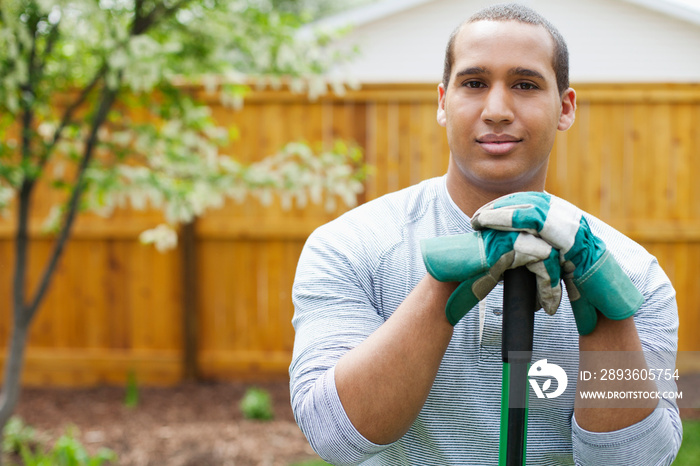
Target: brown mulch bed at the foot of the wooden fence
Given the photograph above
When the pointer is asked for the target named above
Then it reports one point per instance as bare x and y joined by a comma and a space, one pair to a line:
190, 424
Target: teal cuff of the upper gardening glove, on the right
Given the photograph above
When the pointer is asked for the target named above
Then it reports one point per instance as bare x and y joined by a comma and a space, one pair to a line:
608, 288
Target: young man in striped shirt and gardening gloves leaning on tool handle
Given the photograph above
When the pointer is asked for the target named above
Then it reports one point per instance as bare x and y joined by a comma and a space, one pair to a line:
381, 376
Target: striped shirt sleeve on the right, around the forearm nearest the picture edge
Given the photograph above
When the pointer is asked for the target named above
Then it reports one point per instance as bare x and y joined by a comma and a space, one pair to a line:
656, 439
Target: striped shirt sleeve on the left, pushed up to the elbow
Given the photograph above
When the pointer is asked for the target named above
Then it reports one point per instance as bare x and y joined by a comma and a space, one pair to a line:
333, 314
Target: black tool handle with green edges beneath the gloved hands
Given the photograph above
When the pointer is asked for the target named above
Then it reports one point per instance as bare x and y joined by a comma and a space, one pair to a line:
519, 301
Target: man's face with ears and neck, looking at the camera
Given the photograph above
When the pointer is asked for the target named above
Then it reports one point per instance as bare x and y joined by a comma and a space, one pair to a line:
502, 108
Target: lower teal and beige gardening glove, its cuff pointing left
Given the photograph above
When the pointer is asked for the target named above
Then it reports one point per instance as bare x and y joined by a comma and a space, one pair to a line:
477, 260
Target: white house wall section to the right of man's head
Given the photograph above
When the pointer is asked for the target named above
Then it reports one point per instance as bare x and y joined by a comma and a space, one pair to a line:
613, 41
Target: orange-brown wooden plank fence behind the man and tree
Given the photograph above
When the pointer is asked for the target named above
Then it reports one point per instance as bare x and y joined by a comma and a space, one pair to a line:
116, 307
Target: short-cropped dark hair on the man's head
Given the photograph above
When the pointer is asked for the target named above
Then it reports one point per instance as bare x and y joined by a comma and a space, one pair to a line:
523, 14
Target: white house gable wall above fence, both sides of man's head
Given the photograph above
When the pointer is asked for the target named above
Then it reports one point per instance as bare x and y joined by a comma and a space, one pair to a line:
609, 41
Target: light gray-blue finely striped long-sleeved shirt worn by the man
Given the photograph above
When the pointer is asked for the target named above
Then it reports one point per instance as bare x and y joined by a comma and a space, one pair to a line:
356, 270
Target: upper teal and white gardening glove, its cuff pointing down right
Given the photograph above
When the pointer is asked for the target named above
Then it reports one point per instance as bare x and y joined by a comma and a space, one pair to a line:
593, 278
